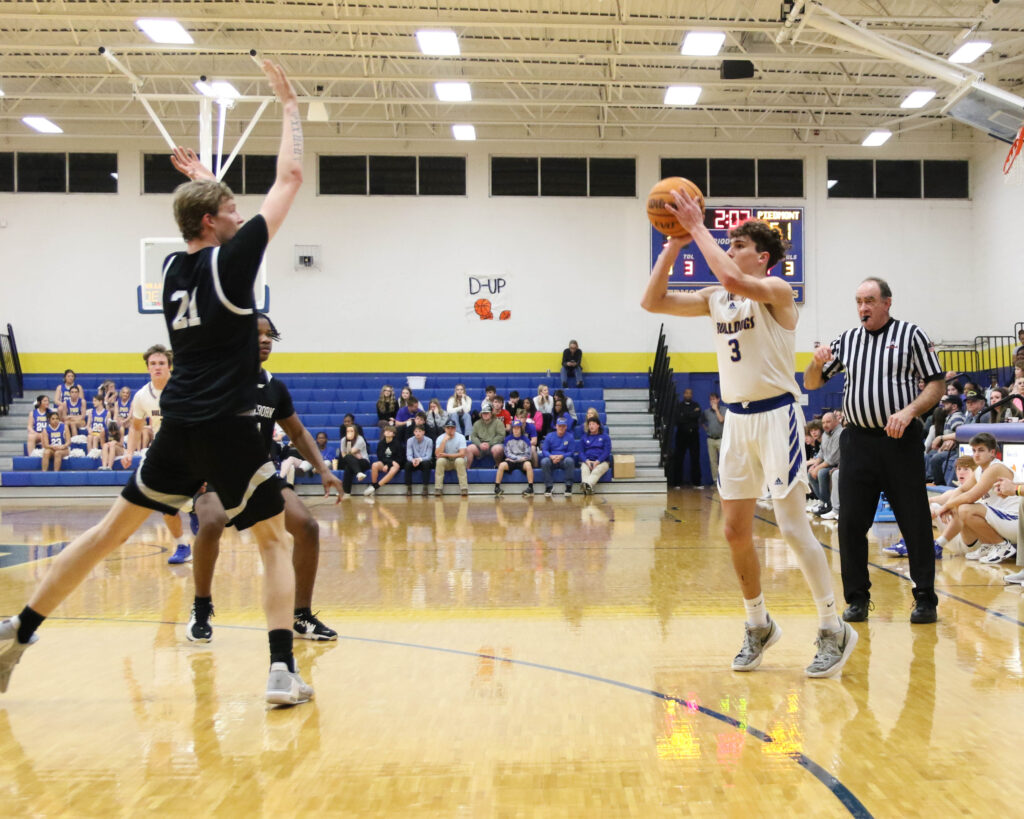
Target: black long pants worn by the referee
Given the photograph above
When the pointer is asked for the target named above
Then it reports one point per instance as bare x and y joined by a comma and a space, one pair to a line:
871, 463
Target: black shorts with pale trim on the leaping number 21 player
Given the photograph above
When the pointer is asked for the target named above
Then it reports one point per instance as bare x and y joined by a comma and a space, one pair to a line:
228, 453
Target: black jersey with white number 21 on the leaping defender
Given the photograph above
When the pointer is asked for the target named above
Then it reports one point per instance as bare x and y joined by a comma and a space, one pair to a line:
211, 320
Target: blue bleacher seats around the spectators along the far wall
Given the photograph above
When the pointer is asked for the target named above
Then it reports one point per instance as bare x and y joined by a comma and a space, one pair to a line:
322, 402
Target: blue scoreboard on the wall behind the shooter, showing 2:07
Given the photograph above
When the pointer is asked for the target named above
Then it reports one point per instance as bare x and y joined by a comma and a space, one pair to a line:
692, 271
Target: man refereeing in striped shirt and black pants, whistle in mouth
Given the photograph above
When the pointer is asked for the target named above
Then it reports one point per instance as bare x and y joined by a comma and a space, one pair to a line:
882, 450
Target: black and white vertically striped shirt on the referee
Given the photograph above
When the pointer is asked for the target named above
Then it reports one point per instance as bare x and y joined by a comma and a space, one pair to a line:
883, 368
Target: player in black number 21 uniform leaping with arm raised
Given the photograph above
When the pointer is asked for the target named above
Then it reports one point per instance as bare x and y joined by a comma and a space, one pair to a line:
208, 408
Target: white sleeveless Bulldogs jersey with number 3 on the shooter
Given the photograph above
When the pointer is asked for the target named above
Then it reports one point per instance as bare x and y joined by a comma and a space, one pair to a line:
757, 357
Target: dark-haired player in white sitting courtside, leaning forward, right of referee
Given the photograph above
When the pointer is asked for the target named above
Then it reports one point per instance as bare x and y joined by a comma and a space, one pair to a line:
976, 512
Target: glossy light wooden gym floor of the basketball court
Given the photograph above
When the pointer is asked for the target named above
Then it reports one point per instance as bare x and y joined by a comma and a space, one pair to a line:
552, 658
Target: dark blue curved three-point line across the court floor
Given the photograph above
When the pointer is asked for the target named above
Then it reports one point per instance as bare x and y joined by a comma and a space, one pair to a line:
841, 792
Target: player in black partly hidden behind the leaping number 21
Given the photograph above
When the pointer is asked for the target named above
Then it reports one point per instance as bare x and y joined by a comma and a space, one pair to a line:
274, 406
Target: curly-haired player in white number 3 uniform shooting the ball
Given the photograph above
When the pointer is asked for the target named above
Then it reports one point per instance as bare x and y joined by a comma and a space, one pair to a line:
754, 319
